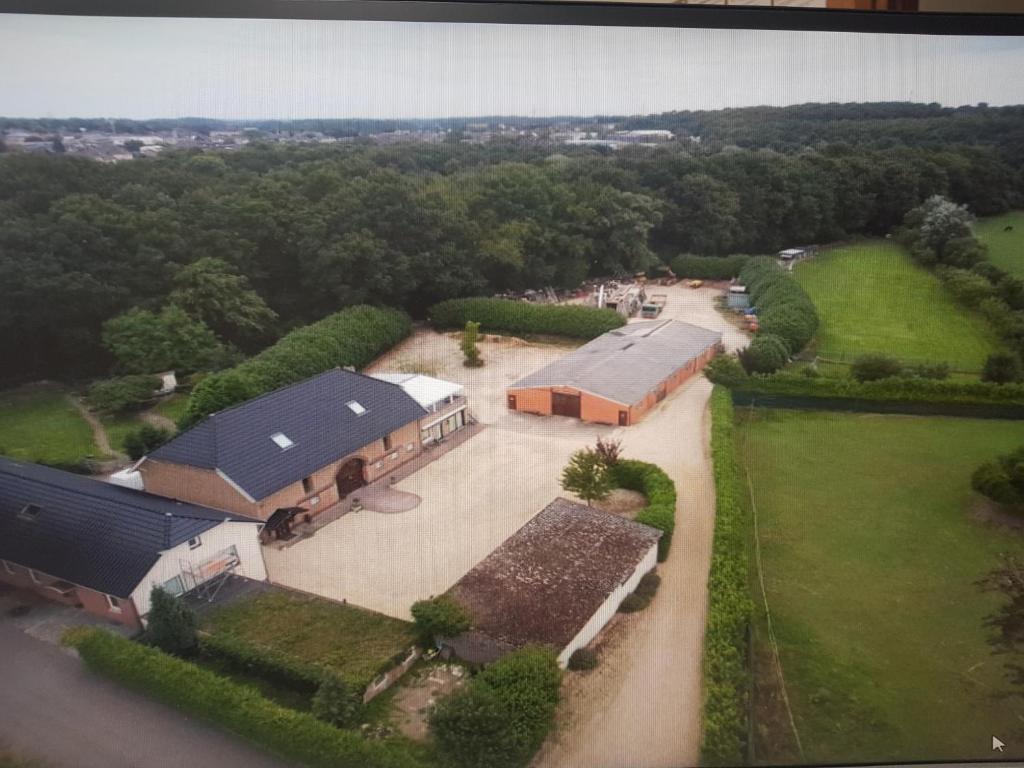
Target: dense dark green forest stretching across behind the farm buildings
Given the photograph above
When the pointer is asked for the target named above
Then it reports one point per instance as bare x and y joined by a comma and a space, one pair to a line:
302, 232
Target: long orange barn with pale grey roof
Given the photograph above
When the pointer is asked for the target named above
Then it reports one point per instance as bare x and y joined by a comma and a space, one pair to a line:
618, 377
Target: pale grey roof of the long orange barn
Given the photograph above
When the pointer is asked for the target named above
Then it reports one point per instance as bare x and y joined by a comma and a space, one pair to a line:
627, 364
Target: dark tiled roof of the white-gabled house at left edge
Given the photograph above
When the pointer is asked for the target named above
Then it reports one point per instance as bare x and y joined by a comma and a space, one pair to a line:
92, 533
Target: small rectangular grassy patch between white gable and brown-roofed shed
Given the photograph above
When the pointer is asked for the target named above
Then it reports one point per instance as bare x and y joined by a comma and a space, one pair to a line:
353, 642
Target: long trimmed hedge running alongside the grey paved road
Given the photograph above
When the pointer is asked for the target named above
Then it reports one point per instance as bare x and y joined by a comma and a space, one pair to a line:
296, 737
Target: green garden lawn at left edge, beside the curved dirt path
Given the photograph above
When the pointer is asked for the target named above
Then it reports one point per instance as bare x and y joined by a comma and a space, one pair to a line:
38, 424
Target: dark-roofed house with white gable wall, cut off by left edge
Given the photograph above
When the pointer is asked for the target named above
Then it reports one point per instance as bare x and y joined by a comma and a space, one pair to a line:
103, 547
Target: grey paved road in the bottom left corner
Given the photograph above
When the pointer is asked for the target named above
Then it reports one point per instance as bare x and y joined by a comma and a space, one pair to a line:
55, 710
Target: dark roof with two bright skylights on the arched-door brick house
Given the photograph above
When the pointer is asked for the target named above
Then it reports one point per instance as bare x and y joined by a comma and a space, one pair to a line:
313, 414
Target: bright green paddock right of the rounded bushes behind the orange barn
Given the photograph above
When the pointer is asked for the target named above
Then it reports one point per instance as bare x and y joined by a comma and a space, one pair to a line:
873, 298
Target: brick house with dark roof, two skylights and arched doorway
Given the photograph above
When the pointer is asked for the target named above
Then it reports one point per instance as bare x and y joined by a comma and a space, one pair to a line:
304, 448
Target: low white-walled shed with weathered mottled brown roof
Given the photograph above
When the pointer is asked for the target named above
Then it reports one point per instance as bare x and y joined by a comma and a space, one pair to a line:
557, 582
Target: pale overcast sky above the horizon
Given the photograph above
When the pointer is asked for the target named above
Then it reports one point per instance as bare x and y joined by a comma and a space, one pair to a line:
143, 68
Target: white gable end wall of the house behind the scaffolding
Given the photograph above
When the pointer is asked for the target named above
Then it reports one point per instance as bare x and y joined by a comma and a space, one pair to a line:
214, 543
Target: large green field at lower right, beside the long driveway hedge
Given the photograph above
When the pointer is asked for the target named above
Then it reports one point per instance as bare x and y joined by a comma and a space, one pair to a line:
871, 554
